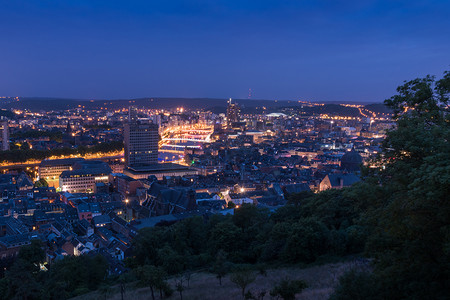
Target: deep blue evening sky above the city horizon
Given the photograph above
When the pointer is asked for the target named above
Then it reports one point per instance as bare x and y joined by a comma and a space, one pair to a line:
327, 50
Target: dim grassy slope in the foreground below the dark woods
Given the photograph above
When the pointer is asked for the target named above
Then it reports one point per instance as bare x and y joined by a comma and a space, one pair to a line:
321, 281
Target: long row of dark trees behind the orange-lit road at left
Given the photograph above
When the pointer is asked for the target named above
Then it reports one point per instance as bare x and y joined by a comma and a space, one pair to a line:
25, 155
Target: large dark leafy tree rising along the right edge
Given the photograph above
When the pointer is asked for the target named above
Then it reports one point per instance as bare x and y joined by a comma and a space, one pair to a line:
411, 230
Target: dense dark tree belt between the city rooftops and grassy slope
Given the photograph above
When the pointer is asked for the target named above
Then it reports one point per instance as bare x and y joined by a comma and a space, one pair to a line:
308, 228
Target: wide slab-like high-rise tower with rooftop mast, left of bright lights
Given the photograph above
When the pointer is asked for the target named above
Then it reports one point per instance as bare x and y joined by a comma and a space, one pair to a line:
141, 141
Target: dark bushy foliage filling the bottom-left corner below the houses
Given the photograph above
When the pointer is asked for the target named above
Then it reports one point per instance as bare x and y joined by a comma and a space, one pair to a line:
66, 278
